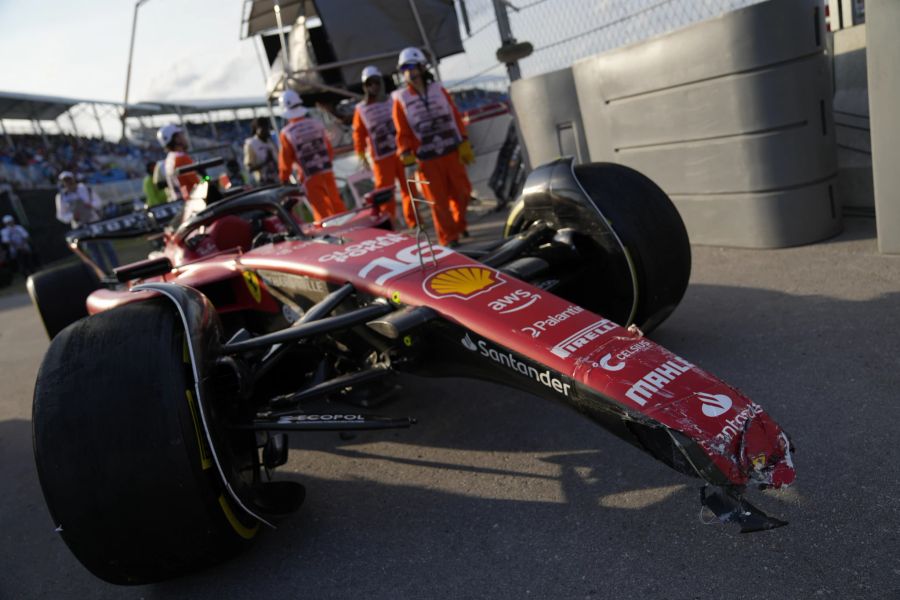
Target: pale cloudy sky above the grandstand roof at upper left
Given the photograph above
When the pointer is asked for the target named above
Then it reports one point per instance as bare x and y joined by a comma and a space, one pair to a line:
183, 49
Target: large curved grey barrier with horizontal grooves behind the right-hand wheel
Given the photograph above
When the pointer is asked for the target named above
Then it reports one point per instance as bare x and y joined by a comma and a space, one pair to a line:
732, 117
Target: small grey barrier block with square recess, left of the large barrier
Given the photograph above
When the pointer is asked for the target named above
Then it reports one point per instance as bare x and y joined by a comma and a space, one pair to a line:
548, 117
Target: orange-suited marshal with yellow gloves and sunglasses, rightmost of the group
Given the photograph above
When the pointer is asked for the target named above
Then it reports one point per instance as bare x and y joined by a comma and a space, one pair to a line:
431, 132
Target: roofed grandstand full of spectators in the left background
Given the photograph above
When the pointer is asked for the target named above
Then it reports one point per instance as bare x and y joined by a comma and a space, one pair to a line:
40, 138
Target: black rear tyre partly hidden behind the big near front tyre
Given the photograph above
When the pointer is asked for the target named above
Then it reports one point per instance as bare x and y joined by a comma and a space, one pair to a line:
59, 294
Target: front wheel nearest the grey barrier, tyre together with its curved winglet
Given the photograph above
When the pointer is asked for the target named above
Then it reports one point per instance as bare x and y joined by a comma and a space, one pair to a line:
640, 265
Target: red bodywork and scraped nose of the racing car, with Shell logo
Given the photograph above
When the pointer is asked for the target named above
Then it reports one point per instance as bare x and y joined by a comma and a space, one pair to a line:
646, 382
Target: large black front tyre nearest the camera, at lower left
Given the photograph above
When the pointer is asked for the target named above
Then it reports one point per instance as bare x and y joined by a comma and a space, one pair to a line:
122, 459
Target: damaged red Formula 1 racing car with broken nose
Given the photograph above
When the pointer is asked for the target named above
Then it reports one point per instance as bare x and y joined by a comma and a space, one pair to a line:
154, 416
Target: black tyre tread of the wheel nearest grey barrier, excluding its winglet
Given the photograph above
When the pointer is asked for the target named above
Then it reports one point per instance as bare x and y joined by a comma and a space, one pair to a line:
648, 225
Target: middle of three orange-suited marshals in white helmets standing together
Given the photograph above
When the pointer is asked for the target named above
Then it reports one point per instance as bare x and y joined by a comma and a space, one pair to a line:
373, 129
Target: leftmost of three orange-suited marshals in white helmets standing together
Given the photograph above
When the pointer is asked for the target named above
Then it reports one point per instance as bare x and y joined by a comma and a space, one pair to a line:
304, 144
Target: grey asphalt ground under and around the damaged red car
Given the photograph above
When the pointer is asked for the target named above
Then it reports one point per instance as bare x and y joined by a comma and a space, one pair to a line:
498, 494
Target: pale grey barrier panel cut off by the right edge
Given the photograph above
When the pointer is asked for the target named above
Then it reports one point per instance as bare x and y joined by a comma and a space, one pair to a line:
883, 23
